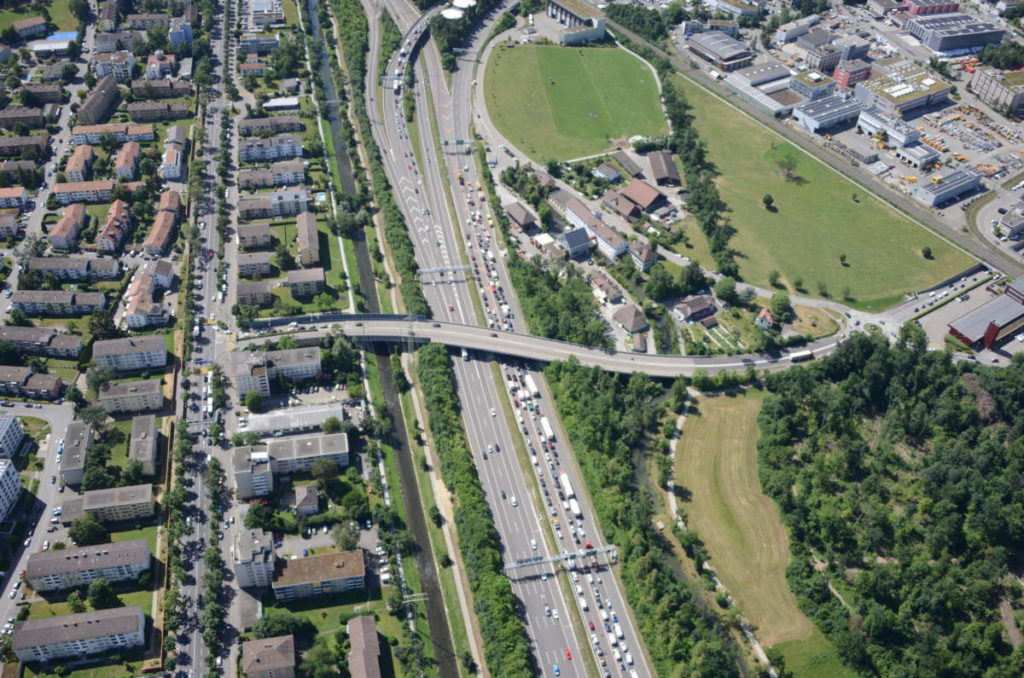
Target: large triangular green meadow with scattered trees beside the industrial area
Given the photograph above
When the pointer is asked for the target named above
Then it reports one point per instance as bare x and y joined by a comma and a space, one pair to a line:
817, 218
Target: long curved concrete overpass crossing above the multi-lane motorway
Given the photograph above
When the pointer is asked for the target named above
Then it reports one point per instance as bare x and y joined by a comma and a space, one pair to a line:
405, 330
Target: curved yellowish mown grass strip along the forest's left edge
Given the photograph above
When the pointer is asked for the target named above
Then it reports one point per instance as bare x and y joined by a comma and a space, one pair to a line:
717, 462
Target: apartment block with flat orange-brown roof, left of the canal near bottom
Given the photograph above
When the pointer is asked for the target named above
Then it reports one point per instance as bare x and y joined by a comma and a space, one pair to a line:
321, 576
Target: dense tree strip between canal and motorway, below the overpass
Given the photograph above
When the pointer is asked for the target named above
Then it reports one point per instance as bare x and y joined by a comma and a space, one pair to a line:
505, 648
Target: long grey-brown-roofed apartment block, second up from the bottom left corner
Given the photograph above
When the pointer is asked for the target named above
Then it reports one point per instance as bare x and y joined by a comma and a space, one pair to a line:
75, 568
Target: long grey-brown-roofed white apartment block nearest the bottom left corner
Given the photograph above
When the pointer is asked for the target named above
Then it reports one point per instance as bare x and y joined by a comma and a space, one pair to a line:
50, 639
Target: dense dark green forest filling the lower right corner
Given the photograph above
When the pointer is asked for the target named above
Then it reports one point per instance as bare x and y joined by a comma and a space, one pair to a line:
900, 477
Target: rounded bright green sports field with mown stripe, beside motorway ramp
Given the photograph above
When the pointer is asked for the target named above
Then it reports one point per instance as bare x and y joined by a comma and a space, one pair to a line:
566, 103
